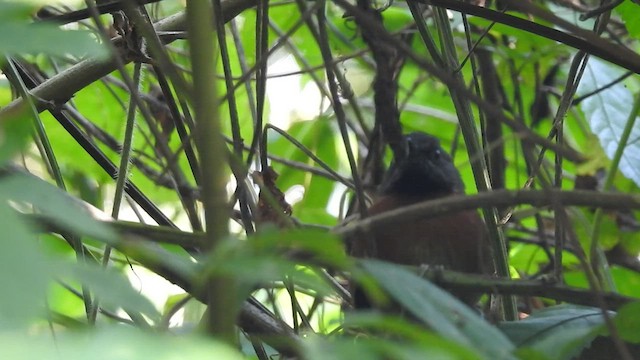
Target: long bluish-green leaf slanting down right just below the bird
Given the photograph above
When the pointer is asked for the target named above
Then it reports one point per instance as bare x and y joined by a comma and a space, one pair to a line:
442, 312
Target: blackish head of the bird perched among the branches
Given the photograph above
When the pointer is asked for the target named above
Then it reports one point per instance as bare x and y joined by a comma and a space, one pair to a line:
425, 170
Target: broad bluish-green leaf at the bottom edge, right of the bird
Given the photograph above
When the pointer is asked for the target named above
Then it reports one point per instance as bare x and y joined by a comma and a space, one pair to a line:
558, 332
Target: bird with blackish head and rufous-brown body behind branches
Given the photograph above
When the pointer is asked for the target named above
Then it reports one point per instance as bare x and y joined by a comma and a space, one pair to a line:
457, 241
